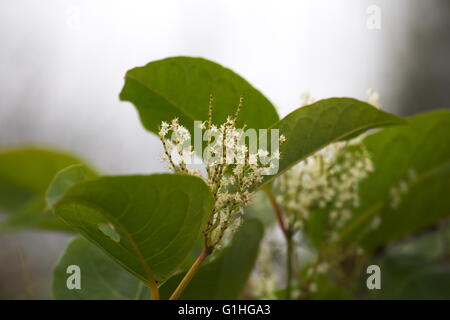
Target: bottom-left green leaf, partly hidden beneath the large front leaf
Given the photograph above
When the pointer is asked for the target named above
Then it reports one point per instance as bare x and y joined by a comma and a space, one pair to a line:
101, 277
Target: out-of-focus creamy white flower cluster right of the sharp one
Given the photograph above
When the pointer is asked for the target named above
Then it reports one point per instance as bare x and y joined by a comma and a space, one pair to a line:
328, 179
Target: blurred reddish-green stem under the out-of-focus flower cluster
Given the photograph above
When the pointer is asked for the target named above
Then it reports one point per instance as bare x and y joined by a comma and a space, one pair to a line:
289, 239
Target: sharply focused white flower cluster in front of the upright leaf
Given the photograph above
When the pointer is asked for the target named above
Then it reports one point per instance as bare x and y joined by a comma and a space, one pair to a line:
232, 169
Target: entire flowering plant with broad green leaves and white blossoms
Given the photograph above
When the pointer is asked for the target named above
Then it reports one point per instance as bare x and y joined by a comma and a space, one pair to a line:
254, 206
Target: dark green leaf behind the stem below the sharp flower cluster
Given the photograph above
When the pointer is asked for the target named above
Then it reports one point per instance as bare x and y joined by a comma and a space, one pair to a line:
225, 277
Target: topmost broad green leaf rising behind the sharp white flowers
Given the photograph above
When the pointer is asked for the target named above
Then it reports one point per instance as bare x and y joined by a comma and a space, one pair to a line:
179, 87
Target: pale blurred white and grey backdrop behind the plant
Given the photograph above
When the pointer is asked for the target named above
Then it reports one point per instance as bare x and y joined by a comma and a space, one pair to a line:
62, 65
